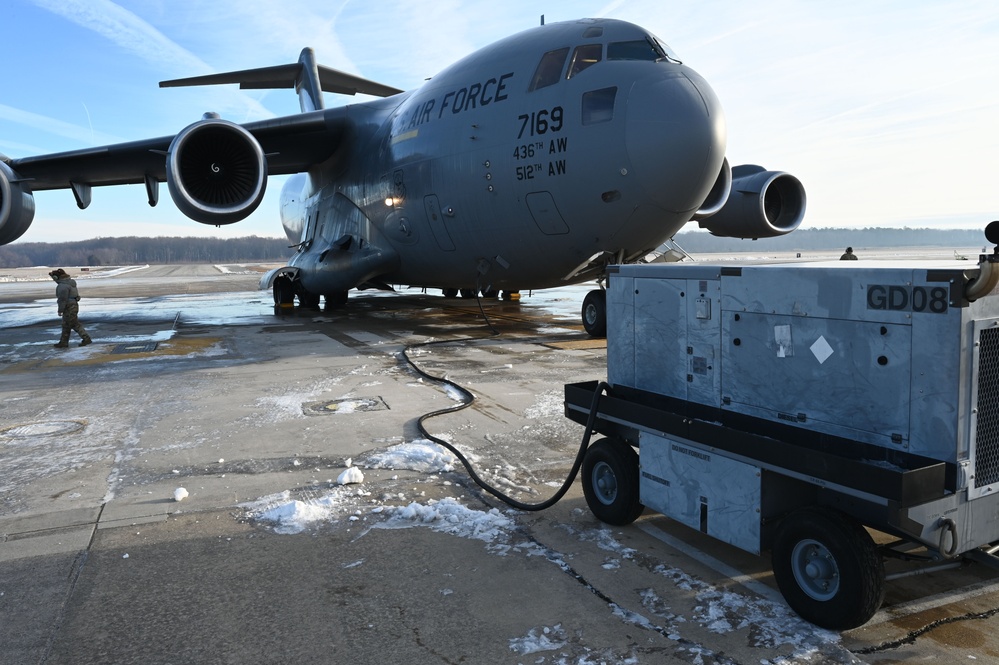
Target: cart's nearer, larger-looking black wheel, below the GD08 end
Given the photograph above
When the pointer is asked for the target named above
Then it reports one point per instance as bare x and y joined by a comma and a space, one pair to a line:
828, 568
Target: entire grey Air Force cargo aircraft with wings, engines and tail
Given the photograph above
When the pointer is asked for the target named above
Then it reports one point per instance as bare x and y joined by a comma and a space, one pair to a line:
534, 162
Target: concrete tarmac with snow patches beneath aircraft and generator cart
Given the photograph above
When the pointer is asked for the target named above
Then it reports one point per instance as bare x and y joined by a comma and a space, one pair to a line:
193, 382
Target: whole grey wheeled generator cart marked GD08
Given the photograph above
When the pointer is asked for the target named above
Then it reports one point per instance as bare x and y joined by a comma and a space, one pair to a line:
786, 407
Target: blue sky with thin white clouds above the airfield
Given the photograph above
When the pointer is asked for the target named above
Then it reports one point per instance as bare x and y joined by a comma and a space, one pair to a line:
888, 111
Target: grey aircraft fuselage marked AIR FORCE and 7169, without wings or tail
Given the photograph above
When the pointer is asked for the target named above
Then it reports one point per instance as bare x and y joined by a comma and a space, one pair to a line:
513, 168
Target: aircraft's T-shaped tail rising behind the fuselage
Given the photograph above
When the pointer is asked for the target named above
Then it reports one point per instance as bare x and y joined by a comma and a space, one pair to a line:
309, 80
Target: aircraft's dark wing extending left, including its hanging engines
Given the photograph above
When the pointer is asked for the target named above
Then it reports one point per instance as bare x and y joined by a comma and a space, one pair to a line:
216, 170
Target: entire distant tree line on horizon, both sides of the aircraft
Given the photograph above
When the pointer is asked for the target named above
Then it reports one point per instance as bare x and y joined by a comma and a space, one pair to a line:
133, 250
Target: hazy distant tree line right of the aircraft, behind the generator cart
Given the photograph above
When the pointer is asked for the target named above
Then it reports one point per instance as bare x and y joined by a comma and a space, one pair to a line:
834, 239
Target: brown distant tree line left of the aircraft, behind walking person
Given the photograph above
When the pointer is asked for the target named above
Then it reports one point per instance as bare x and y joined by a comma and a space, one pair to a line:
133, 250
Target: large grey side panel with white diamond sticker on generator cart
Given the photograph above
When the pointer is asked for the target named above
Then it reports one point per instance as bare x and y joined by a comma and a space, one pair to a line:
850, 378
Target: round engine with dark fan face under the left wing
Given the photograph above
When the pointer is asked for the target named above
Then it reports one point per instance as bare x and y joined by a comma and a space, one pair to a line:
216, 172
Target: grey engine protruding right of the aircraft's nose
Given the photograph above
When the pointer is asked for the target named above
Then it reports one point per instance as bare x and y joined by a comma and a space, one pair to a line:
762, 204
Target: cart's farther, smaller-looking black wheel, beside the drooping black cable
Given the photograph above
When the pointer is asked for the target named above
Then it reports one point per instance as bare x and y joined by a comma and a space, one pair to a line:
610, 482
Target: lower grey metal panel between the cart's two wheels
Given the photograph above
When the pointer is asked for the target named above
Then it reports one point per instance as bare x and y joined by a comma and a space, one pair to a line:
698, 487
